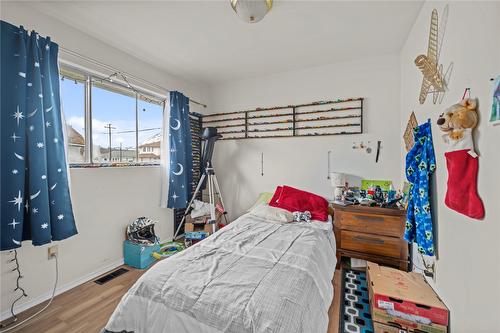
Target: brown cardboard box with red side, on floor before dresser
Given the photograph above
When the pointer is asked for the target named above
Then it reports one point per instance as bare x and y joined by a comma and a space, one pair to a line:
407, 293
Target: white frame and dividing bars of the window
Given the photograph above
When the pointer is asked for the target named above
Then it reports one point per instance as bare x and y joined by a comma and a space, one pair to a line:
116, 85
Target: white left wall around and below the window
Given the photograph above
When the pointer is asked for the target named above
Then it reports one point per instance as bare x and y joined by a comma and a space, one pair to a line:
104, 200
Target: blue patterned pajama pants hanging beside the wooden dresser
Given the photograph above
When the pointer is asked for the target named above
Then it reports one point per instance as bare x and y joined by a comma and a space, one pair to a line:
420, 165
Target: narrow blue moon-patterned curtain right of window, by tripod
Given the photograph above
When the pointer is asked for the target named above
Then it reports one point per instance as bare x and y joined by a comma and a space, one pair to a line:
181, 153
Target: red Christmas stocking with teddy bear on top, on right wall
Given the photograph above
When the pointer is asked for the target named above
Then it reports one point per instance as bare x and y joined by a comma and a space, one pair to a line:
458, 123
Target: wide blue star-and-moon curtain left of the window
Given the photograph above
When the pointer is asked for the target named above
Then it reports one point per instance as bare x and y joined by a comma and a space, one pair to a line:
35, 198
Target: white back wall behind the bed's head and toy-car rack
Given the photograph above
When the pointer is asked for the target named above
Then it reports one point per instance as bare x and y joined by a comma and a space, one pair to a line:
302, 162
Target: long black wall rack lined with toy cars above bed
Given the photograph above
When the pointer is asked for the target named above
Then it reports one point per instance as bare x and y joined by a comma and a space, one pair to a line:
336, 117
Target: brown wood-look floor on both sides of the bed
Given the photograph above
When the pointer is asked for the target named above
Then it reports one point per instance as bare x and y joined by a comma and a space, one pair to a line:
86, 308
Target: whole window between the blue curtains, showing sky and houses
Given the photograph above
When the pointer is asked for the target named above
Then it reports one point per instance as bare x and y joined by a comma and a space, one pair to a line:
126, 126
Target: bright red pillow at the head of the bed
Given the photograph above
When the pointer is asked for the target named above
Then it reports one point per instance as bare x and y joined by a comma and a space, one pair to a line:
293, 199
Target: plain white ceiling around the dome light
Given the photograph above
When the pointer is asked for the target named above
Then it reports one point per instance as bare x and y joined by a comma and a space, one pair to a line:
205, 41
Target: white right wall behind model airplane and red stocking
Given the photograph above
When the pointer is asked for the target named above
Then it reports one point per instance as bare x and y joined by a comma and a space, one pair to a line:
468, 269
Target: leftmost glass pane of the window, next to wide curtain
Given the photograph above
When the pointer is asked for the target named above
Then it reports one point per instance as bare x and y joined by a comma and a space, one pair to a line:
73, 106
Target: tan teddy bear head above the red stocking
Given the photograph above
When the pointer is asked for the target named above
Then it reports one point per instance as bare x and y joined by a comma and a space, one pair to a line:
457, 118
